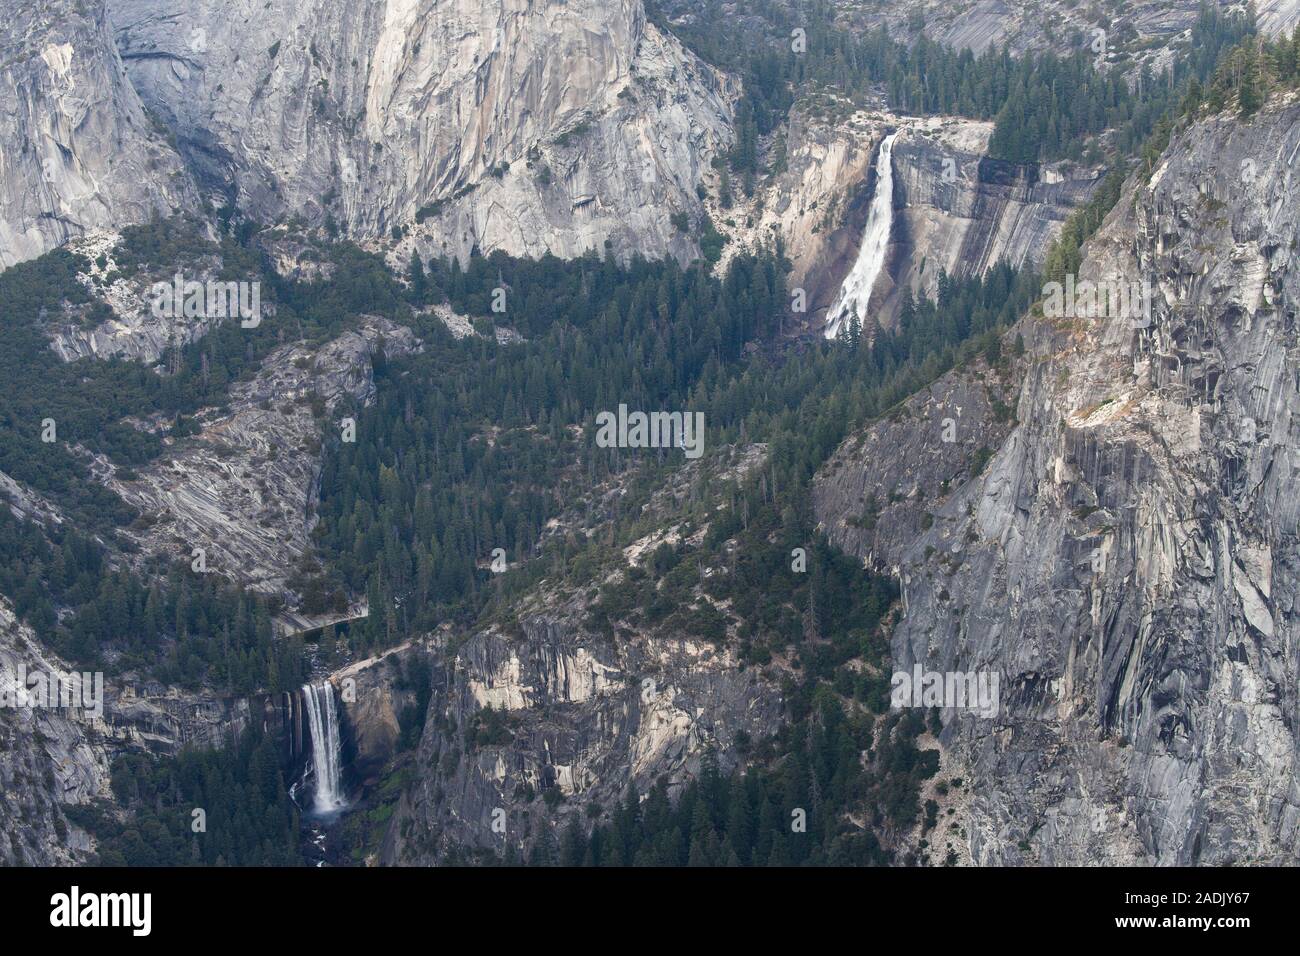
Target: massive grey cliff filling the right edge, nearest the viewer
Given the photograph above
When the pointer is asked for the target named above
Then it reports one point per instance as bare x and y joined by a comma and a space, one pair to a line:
1126, 563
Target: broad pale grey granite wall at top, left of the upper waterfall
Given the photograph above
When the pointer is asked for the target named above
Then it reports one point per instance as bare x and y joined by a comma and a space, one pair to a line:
521, 126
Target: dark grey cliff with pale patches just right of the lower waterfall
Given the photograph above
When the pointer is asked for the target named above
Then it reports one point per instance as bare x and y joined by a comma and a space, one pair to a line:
583, 716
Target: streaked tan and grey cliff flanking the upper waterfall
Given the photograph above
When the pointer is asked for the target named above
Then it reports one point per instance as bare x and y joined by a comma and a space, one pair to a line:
955, 209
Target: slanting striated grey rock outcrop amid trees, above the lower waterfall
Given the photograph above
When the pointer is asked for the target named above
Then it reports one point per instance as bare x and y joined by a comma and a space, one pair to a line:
244, 490
